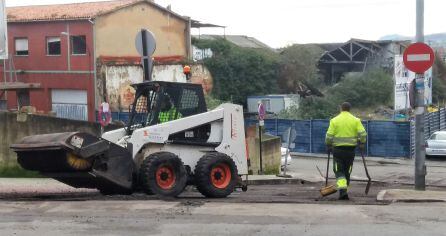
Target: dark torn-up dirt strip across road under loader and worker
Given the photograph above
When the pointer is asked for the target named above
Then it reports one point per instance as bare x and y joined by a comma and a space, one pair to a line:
302, 192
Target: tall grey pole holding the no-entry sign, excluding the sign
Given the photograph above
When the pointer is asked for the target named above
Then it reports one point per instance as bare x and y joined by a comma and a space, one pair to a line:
420, 167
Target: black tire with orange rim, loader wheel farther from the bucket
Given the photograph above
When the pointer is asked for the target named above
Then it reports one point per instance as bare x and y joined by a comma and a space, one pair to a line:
216, 175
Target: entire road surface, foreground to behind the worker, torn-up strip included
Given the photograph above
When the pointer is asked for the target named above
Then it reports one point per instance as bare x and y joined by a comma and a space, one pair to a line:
47, 207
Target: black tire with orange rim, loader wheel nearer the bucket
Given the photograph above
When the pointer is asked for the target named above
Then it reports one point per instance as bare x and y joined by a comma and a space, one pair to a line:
164, 174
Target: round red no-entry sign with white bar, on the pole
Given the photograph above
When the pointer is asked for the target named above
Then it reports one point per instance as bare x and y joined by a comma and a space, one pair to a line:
418, 57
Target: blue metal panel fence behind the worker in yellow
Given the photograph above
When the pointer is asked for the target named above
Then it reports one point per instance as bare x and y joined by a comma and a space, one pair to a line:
387, 139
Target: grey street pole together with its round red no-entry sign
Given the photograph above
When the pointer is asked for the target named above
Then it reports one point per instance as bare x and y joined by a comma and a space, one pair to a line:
419, 57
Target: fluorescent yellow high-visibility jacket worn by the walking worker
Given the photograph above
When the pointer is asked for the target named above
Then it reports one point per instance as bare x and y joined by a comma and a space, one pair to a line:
345, 130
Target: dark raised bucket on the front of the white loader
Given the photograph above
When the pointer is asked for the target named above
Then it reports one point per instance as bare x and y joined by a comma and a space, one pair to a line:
78, 159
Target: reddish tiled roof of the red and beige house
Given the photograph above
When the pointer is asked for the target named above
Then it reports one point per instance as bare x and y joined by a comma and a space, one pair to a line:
72, 11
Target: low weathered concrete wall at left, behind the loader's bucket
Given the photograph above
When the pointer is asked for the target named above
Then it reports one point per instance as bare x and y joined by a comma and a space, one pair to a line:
14, 126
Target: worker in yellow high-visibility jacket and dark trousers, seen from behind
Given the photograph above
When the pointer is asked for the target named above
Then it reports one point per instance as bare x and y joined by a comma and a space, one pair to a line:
343, 135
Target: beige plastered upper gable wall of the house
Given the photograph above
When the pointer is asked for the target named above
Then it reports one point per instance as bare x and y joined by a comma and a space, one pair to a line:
116, 32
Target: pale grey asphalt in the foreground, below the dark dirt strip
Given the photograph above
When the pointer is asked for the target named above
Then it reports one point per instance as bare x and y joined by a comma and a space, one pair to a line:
155, 217
